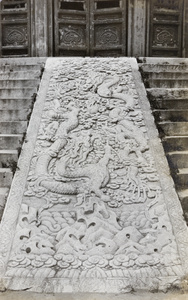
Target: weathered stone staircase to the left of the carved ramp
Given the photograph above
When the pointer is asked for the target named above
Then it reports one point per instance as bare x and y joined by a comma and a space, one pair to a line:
19, 82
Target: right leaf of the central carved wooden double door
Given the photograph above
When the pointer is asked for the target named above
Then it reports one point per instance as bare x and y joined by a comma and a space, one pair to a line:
108, 28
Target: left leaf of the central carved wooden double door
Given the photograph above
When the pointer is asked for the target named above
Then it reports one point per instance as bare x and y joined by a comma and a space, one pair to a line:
71, 28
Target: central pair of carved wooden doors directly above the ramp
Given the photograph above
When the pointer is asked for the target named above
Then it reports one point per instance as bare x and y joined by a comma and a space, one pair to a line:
90, 27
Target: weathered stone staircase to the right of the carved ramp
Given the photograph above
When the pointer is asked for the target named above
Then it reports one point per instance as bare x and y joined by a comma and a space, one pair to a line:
166, 82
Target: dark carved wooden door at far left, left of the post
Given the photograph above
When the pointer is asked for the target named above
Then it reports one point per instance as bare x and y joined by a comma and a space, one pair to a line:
15, 28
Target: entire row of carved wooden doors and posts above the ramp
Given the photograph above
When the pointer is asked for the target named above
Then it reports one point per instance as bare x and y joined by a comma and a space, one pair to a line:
92, 27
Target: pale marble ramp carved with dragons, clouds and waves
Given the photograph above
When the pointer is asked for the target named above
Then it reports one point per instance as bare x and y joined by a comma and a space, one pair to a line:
92, 206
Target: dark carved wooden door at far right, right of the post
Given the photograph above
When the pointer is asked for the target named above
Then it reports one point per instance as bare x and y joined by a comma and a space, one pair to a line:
166, 28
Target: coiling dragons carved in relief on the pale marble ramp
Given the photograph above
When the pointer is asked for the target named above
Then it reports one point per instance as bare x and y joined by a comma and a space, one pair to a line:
91, 177
